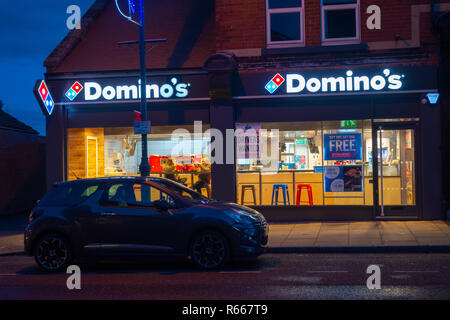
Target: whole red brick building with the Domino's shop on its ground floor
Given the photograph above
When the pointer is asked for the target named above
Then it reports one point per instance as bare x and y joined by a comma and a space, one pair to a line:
338, 61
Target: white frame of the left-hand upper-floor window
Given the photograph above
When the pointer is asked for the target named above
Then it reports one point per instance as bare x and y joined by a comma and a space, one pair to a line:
289, 43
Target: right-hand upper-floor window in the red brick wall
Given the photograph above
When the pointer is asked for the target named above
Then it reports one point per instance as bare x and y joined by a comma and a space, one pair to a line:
340, 22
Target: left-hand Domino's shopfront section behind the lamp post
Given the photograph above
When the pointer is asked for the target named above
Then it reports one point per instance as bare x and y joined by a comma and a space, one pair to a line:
91, 131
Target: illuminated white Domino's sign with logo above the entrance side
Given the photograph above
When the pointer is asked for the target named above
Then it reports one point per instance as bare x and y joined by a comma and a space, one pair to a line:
348, 82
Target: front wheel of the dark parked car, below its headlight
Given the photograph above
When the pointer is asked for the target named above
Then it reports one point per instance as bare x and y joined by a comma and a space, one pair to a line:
209, 250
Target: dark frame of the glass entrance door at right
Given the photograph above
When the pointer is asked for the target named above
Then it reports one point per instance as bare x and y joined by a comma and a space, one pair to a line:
392, 211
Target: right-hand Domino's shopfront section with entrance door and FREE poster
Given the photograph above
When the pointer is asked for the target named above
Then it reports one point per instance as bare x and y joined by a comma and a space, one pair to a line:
353, 143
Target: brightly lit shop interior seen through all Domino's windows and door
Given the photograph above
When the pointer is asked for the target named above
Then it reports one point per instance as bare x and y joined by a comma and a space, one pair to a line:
307, 171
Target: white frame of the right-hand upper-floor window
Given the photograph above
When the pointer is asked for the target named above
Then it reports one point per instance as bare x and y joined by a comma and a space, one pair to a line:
341, 41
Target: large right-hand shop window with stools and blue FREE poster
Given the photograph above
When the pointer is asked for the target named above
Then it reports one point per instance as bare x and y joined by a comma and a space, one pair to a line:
308, 172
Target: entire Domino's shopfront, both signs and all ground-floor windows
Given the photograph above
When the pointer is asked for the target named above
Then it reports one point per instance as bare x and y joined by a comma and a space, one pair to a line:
350, 143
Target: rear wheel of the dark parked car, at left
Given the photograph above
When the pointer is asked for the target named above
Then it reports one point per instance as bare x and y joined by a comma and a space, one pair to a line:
53, 253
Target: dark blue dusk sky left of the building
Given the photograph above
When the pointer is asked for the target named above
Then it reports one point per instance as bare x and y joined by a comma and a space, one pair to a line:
30, 30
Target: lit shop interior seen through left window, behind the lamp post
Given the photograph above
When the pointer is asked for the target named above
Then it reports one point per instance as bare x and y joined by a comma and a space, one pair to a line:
98, 152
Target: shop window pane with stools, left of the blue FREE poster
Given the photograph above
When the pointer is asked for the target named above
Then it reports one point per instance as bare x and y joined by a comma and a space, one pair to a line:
299, 162
